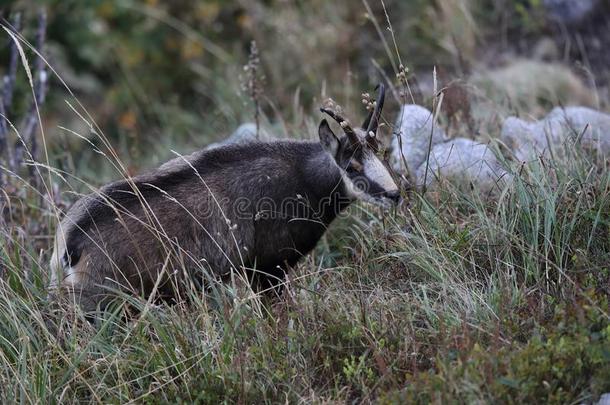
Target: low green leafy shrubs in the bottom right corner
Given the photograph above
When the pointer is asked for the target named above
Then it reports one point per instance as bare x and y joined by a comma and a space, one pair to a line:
566, 360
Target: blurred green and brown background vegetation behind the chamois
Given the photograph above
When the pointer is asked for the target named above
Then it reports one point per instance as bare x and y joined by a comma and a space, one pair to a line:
158, 75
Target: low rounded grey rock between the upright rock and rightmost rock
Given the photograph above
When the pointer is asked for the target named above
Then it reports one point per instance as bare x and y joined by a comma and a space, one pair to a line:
465, 160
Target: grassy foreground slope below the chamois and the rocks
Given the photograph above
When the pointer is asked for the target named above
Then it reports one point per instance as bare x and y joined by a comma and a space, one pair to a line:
455, 298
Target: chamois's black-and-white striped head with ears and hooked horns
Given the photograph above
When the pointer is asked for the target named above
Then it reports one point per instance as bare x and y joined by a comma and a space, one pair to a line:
355, 152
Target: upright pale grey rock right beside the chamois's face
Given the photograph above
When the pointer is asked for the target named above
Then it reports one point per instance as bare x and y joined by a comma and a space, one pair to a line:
412, 137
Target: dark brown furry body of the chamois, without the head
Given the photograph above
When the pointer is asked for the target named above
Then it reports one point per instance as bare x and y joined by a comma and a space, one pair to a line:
173, 221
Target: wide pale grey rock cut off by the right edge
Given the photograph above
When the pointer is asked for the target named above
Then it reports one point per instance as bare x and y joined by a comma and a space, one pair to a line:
561, 128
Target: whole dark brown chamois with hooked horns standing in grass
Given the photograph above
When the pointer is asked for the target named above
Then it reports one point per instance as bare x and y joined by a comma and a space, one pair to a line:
255, 208
